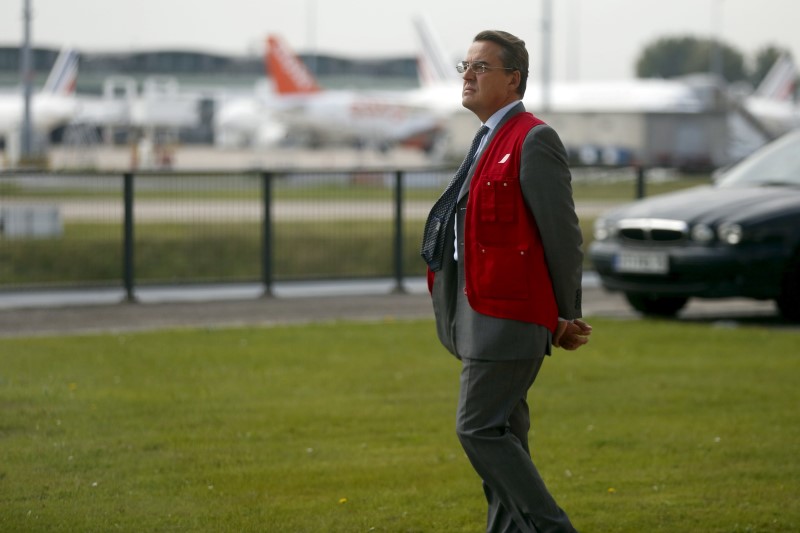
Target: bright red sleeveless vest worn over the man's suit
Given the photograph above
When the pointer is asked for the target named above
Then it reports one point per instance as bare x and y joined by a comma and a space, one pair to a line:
504, 264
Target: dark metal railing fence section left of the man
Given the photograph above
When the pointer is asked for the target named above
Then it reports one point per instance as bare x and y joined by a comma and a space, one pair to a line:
76, 230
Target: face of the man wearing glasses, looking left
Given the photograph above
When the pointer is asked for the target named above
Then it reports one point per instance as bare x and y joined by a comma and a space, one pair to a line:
483, 94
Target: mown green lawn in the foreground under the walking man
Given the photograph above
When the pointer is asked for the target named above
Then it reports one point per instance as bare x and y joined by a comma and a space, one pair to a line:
347, 427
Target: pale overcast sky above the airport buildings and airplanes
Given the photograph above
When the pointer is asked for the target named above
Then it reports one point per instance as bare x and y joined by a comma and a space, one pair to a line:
592, 39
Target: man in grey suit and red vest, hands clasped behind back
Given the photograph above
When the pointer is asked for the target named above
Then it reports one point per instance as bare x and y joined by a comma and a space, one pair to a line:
503, 247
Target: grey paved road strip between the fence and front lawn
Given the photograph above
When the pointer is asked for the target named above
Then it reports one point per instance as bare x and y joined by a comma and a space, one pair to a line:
379, 304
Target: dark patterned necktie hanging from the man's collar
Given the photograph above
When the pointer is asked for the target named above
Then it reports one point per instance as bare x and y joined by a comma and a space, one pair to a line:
433, 238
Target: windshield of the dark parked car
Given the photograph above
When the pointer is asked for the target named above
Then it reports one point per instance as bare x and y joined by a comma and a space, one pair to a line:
776, 164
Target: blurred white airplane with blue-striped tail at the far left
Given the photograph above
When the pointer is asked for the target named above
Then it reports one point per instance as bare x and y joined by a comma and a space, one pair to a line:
51, 107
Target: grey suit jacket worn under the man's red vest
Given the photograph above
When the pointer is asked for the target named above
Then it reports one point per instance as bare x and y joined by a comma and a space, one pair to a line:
546, 187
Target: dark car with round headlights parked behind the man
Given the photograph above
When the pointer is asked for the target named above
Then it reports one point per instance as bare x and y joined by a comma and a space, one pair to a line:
739, 237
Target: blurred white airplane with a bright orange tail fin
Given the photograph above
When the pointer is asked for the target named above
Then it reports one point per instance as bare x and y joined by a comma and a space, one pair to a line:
299, 108
